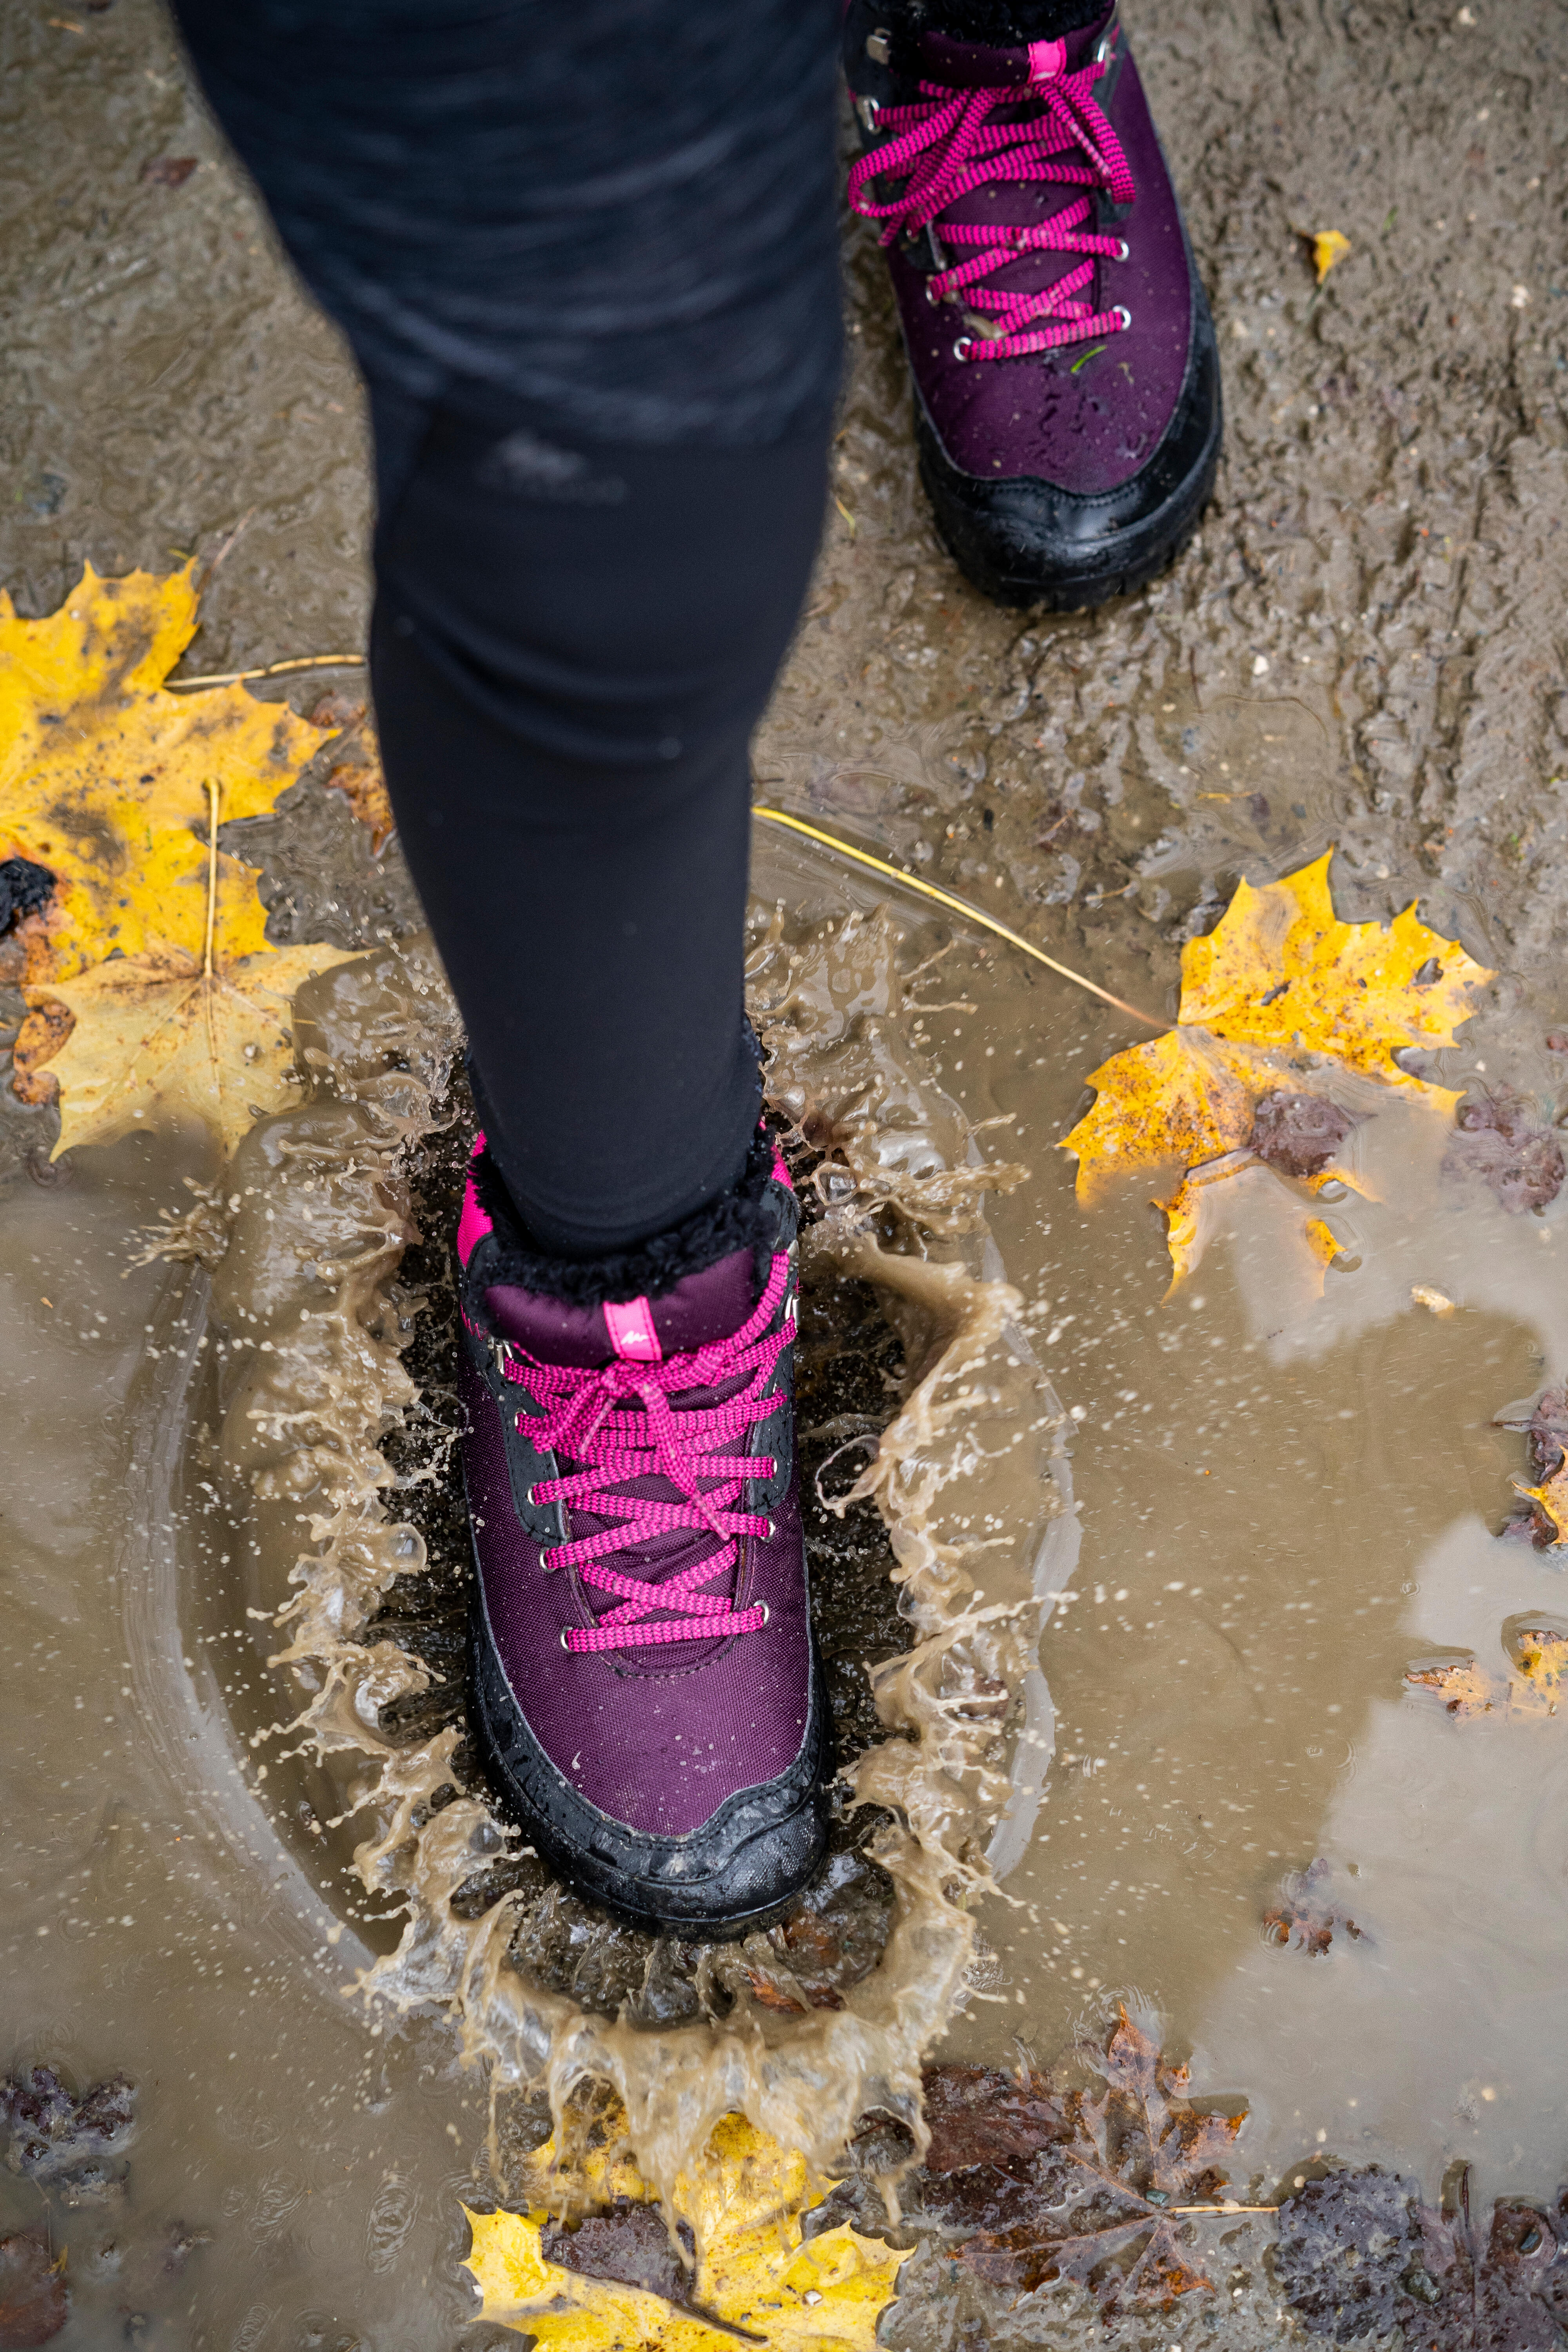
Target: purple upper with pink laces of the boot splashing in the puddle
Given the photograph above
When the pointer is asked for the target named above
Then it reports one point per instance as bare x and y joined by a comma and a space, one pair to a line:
634, 1492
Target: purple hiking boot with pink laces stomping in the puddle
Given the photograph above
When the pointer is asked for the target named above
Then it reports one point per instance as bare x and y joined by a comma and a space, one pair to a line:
645, 1685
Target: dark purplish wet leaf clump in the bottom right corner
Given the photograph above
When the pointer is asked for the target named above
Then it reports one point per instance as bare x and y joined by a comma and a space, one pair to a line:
1360, 2257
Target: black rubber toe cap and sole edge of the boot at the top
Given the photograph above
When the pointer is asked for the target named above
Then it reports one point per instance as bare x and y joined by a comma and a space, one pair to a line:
1026, 542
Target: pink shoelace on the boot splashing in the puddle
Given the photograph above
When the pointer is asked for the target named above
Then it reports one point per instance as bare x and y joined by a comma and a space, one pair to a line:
622, 1422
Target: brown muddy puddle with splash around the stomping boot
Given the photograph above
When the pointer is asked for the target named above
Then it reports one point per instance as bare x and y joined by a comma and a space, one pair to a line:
1240, 1509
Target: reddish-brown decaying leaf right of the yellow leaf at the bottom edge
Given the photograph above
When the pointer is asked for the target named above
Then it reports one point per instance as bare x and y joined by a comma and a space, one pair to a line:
1071, 2186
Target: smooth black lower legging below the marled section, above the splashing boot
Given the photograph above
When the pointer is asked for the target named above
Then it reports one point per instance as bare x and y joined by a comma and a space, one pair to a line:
568, 671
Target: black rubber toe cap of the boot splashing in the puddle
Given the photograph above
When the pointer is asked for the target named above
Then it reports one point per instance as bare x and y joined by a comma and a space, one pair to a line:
737, 1873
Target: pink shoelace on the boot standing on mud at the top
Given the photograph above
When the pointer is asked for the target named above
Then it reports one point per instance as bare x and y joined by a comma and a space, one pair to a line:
958, 142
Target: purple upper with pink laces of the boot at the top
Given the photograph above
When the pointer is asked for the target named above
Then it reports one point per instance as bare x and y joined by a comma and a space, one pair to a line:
1036, 248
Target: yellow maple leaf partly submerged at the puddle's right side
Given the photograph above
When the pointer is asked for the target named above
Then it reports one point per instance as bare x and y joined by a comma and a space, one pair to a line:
1278, 991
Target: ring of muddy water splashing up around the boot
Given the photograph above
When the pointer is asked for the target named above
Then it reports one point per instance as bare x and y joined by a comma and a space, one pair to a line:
314, 1321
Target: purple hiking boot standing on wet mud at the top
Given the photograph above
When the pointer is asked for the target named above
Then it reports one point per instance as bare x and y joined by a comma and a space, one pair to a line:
1066, 368
